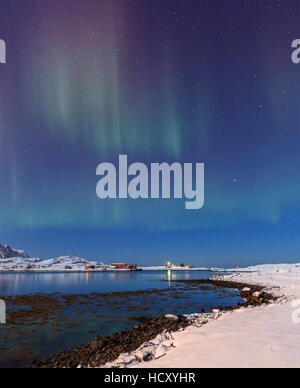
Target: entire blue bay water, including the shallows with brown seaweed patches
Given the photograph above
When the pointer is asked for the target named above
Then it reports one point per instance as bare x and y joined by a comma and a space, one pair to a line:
51, 312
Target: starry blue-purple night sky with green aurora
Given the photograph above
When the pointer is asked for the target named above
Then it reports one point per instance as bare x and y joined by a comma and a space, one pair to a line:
161, 81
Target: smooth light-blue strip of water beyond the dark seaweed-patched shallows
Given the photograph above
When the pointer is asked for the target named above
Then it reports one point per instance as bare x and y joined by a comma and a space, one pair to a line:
86, 282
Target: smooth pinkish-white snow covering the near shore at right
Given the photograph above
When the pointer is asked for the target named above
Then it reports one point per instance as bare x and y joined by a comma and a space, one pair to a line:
254, 337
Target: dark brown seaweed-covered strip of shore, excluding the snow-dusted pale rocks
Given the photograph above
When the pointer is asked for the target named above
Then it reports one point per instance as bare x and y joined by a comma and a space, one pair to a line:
106, 349
